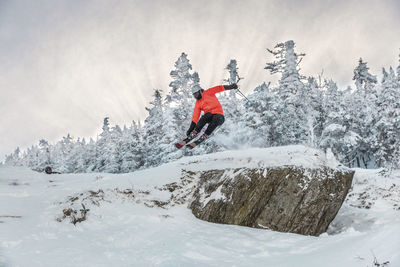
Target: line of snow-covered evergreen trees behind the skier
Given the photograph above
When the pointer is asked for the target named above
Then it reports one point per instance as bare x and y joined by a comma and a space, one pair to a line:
361, 126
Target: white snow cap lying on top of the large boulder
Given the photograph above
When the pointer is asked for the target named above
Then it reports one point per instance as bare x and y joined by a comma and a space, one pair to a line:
294, 155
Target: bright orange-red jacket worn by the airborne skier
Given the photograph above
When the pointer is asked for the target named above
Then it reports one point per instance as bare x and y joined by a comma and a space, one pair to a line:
208, 103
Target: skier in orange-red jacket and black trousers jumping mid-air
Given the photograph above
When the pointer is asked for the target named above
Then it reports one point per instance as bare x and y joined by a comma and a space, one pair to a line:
207, 102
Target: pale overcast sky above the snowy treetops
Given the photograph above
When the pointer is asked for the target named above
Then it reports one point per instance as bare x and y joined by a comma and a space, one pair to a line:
65, 65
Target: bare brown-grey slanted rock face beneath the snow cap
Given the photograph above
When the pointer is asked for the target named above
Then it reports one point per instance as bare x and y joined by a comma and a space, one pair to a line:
287, 198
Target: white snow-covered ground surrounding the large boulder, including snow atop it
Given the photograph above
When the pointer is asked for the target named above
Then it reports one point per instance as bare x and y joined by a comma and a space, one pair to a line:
126, 228
